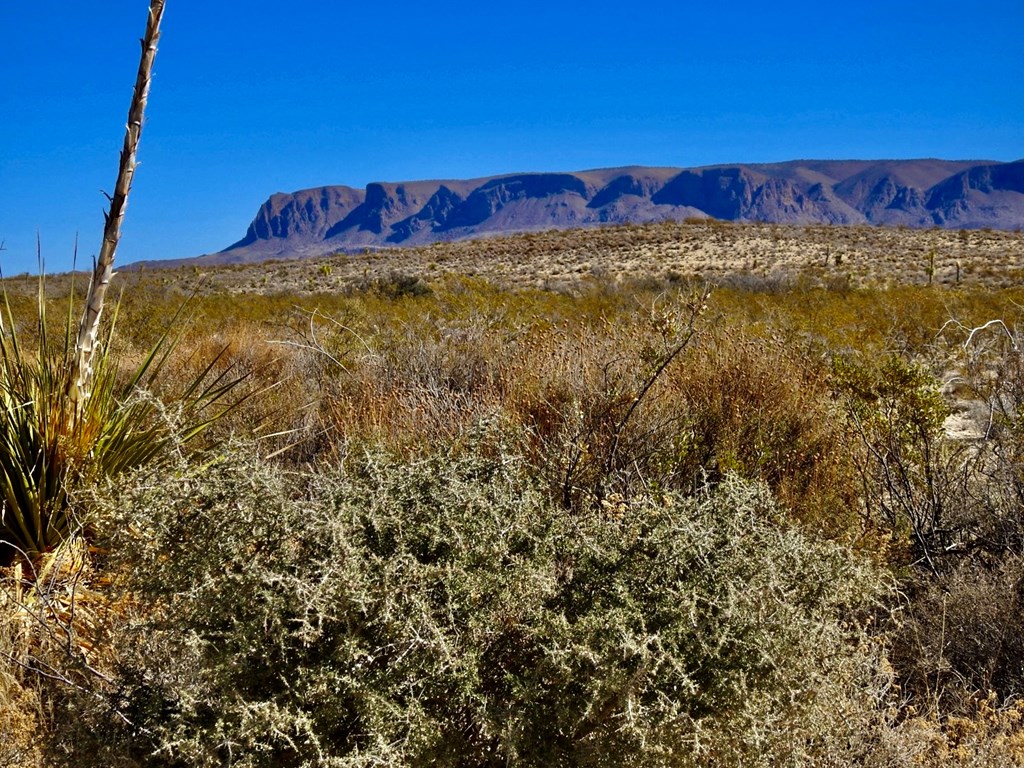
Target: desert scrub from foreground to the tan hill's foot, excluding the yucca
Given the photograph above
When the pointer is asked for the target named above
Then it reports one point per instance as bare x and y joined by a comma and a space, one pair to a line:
627, 524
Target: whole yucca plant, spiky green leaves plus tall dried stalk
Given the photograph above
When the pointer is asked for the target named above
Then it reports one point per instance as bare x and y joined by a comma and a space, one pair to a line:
66, 416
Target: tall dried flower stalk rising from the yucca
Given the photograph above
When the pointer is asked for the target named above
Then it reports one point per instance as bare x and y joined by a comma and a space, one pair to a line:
79, 382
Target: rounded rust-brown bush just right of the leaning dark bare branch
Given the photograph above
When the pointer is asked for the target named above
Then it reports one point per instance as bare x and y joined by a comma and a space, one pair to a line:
759, 409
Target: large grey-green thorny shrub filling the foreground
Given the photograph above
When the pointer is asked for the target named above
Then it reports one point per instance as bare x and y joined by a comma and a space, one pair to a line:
444, 613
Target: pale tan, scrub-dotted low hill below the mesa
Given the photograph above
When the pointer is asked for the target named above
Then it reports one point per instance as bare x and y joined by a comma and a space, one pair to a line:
758, 253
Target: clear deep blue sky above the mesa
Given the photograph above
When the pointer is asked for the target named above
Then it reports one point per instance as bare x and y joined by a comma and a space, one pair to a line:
255, 98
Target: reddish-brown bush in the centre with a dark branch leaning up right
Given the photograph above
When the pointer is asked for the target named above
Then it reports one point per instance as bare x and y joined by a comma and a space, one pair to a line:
592, 401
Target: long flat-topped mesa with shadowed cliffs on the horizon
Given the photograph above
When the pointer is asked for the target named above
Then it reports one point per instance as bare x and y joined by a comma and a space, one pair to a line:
913, 193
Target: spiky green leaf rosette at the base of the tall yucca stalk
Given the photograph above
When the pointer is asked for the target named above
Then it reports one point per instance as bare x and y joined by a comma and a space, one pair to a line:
50, 444
